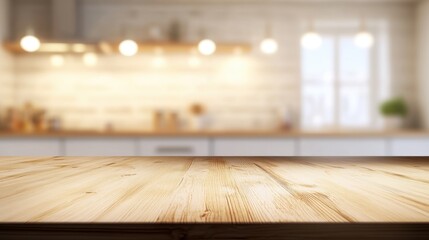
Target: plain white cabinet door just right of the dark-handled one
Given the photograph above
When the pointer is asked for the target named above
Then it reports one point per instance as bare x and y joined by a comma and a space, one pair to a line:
254, 147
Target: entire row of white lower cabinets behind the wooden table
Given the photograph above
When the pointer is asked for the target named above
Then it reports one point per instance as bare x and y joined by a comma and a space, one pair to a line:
217, 146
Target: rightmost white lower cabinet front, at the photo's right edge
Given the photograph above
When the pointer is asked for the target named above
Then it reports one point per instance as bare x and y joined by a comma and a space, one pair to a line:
409, 146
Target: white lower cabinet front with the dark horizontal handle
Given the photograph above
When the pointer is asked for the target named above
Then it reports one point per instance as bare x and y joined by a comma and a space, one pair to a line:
164, 146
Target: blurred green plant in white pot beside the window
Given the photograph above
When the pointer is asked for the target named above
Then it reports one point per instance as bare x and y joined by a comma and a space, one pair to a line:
394, 111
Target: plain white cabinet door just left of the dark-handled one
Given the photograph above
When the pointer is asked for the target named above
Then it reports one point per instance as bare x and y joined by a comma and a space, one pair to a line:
100, 147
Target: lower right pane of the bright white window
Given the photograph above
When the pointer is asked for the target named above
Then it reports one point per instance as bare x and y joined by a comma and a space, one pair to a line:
354, 106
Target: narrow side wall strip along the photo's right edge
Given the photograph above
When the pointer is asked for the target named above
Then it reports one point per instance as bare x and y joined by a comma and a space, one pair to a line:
423, 60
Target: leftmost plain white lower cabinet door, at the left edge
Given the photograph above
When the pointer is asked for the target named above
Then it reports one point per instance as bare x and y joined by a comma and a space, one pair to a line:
30, 147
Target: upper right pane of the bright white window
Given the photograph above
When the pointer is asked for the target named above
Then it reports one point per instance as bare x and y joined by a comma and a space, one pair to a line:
354, 62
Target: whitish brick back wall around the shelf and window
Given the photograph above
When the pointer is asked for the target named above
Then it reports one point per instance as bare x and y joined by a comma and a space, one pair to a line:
239, 95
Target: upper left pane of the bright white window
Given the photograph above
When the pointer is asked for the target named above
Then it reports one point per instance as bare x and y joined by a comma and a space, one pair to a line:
318, 64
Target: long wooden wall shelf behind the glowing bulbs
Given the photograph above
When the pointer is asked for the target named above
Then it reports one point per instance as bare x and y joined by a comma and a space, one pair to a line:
112, 48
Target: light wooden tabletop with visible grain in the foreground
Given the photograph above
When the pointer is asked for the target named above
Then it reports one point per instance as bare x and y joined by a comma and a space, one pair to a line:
227, 190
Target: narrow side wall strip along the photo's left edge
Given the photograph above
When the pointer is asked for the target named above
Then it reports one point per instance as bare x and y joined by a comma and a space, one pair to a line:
6, 60
